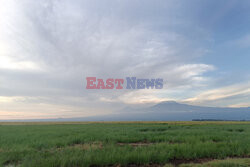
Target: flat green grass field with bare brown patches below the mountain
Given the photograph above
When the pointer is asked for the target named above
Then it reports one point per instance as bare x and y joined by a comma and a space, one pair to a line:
125, 144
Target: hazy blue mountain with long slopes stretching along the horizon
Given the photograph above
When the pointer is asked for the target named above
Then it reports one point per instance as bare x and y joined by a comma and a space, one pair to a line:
169, 111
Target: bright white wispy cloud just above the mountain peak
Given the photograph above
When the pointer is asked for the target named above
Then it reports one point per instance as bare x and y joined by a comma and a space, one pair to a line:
180, 79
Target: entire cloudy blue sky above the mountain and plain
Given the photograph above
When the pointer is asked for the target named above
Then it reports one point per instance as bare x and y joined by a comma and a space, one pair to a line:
201, 49
